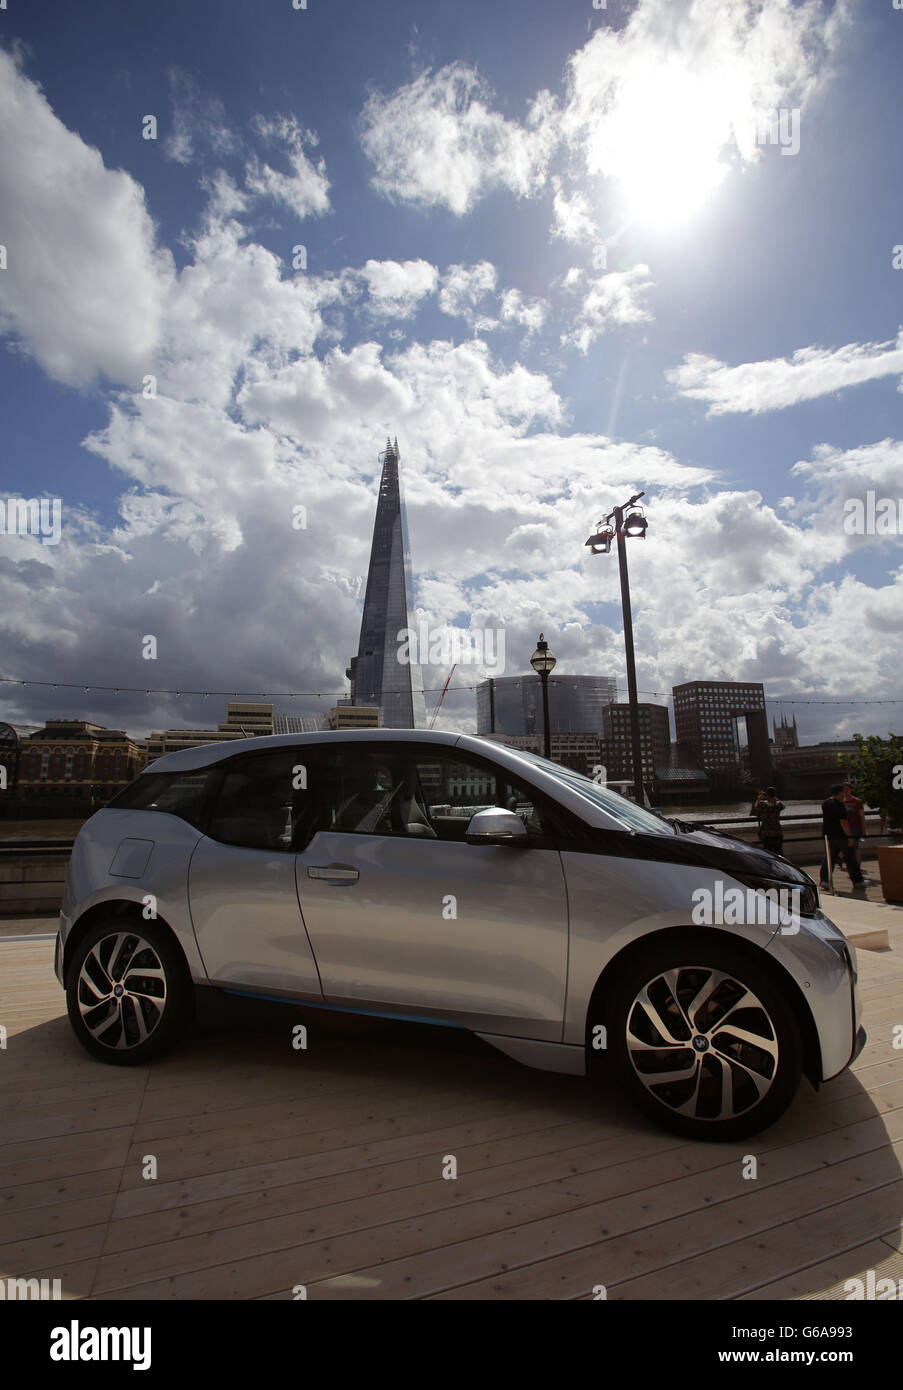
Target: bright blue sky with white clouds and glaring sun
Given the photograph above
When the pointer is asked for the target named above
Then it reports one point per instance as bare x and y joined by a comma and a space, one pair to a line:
565, 252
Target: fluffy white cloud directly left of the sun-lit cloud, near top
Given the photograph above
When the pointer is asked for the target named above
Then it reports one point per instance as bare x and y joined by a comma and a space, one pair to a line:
437, 142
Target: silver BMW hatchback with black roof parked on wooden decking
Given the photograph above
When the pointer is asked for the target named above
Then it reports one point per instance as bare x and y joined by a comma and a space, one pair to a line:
449, 881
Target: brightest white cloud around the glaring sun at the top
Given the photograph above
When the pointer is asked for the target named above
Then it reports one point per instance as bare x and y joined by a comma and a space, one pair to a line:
669, 102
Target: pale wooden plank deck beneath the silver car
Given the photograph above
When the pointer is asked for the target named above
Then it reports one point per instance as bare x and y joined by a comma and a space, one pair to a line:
324, 1168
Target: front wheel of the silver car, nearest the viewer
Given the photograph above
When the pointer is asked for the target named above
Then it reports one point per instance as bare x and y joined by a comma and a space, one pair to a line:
670, 1015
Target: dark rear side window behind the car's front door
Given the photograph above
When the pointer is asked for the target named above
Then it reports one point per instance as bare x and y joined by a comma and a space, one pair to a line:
265, 801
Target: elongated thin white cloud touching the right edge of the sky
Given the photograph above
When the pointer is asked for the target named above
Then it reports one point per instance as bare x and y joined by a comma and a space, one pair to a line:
756, 387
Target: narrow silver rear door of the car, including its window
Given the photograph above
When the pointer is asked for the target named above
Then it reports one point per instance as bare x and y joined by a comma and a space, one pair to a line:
242, 882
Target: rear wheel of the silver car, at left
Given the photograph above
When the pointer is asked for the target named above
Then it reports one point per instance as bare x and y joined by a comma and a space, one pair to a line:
129, 992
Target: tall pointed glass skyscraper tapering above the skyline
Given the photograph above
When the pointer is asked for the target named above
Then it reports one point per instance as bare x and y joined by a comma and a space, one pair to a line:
377, 675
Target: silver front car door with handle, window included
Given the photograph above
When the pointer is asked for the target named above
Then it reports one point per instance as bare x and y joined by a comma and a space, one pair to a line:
409, 919
